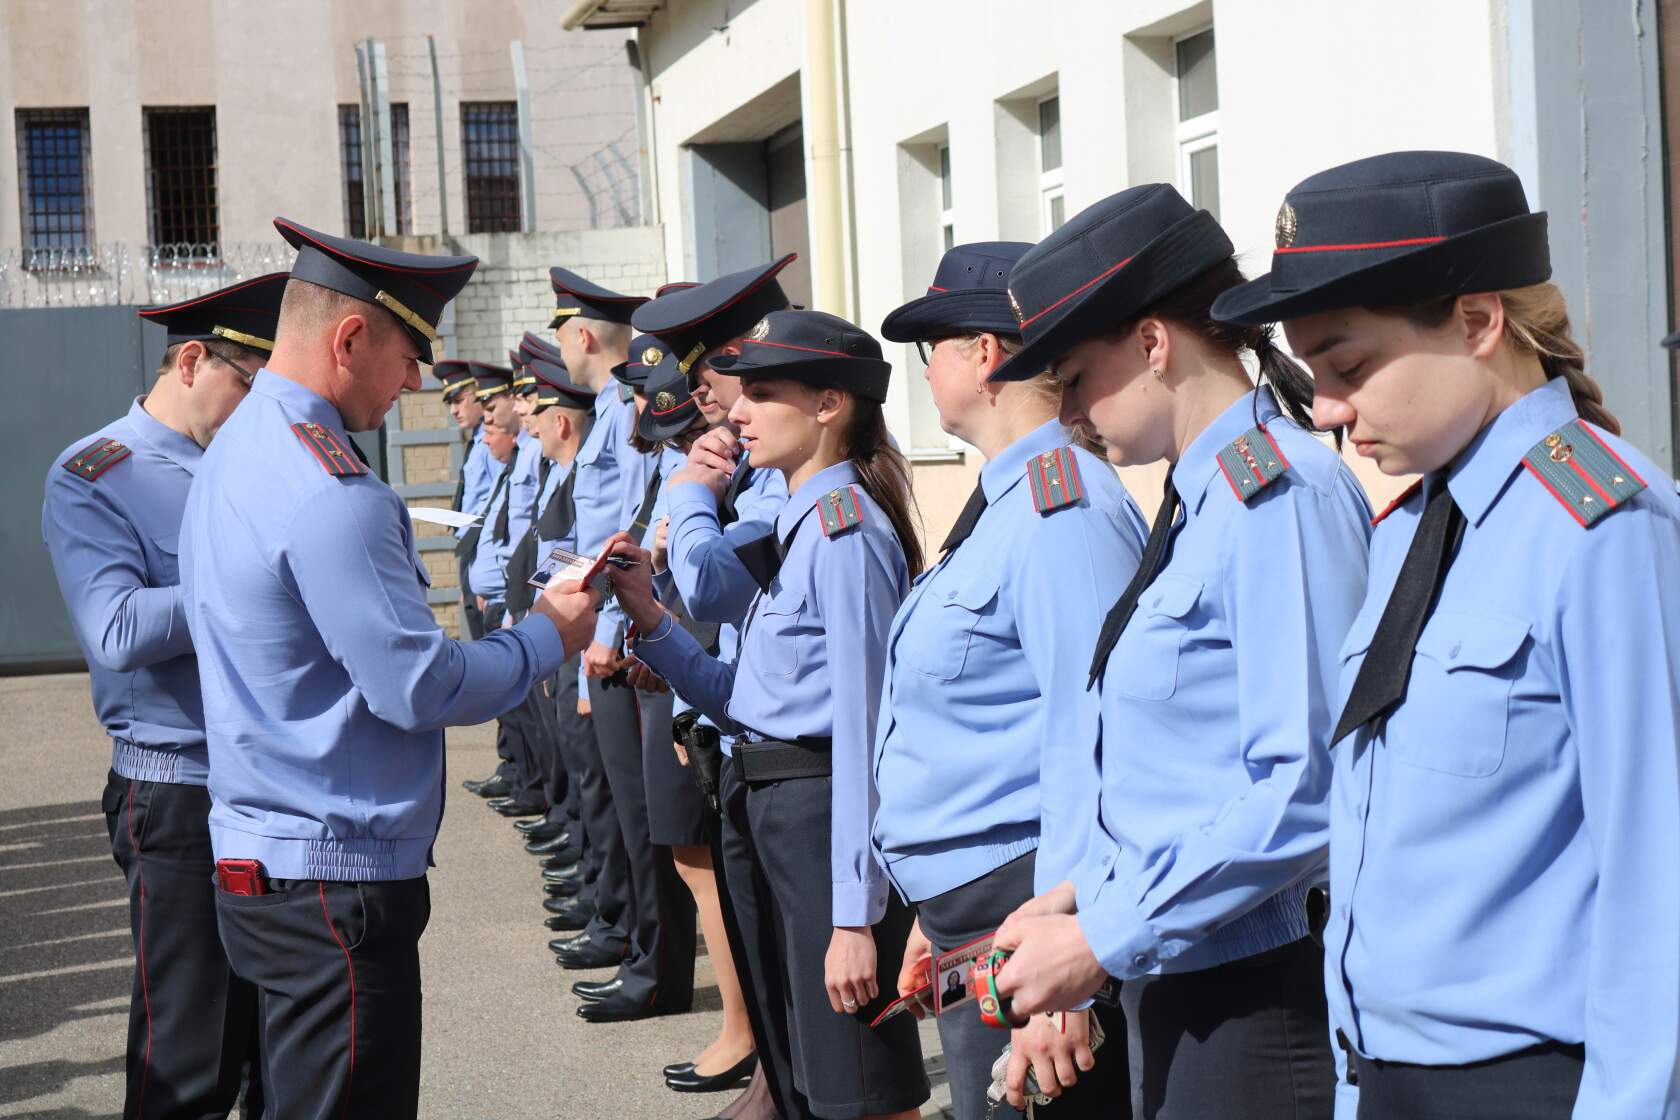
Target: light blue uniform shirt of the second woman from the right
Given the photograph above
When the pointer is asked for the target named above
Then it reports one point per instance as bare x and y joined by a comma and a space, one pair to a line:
1217, 708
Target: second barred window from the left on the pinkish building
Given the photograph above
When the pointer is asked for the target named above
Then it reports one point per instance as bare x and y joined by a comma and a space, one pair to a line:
182, 179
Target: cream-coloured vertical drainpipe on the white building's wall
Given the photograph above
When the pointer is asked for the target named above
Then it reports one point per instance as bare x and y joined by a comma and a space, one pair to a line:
824, 181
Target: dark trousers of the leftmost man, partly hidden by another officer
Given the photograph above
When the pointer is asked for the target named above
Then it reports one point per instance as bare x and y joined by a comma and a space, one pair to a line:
192, 1025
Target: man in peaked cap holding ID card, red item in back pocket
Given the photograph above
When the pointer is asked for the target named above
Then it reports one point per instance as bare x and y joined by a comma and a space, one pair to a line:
327, 681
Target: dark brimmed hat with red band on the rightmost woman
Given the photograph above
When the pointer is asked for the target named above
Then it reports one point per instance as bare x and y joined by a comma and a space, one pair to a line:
1395, 229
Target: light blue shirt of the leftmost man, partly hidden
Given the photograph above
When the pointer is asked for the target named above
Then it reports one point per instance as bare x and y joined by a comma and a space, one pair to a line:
113, 545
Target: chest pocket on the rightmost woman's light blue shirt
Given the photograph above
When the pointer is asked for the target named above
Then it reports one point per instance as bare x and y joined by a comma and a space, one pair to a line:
1459, 699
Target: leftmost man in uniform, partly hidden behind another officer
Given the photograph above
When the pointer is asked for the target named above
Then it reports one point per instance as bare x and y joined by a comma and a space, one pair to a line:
112, 520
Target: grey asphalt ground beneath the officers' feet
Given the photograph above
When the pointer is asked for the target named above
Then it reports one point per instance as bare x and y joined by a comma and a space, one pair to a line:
501, 1035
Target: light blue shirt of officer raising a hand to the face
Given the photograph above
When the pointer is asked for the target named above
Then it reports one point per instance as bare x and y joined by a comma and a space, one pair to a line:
701, 553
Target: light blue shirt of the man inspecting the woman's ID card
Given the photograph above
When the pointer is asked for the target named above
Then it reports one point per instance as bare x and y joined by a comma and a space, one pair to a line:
327, 679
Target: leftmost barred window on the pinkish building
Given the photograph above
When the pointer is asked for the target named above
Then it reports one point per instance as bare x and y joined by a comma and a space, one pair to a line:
53, 172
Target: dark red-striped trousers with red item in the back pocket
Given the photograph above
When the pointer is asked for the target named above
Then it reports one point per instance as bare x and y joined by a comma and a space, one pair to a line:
337, 968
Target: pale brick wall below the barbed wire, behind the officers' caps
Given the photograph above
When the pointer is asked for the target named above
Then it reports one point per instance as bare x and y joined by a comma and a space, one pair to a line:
510, 295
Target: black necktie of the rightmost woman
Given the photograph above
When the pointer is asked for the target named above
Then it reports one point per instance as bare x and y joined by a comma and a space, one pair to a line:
1383, 678
